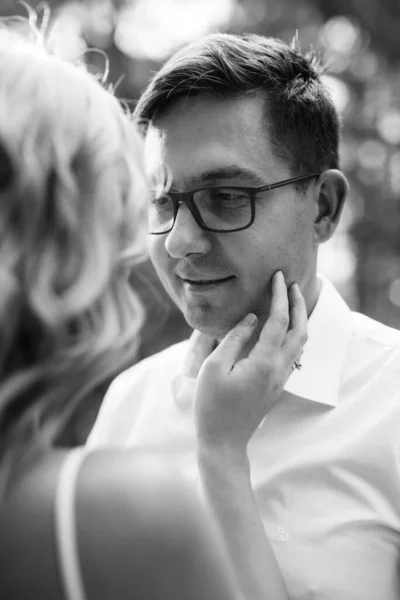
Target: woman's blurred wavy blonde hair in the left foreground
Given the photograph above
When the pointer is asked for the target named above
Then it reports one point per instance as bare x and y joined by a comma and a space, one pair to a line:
72, 194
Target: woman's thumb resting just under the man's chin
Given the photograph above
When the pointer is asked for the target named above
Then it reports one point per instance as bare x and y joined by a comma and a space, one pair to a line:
234, 343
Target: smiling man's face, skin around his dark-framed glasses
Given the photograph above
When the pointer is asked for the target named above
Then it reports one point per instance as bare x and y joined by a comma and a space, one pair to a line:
217, 278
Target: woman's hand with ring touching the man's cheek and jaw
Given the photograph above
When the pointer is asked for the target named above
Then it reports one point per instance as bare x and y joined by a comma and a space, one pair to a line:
233, 395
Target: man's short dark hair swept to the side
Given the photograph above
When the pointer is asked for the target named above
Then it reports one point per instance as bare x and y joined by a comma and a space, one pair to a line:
303, 124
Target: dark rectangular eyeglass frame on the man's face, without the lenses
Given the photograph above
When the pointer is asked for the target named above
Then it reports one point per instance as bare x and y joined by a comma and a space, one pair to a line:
178, 198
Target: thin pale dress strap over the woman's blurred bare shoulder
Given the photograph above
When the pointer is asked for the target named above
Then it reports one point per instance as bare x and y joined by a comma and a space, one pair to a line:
65, 526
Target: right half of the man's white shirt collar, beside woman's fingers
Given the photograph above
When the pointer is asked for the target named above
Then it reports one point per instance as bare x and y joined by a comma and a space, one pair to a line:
329, 334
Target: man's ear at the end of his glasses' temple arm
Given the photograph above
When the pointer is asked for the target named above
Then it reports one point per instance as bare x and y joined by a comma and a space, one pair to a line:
331, 191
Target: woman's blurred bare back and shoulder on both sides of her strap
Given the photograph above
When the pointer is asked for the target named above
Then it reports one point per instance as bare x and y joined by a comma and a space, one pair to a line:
140, 532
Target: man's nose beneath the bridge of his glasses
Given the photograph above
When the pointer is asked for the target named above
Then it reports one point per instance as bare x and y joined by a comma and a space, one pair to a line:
187, 237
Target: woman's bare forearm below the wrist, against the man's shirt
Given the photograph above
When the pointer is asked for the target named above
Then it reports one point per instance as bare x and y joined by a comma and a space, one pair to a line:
225, 478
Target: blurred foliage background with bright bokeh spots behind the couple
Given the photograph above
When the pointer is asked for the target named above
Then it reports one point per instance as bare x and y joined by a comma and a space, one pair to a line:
360, 41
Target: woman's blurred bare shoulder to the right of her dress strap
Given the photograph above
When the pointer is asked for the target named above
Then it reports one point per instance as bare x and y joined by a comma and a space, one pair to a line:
142, 530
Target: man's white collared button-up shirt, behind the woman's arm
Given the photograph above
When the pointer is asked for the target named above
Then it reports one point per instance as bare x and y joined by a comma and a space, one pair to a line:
325, 462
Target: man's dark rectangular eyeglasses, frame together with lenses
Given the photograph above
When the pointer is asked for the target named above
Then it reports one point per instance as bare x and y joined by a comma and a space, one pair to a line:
219, 209
